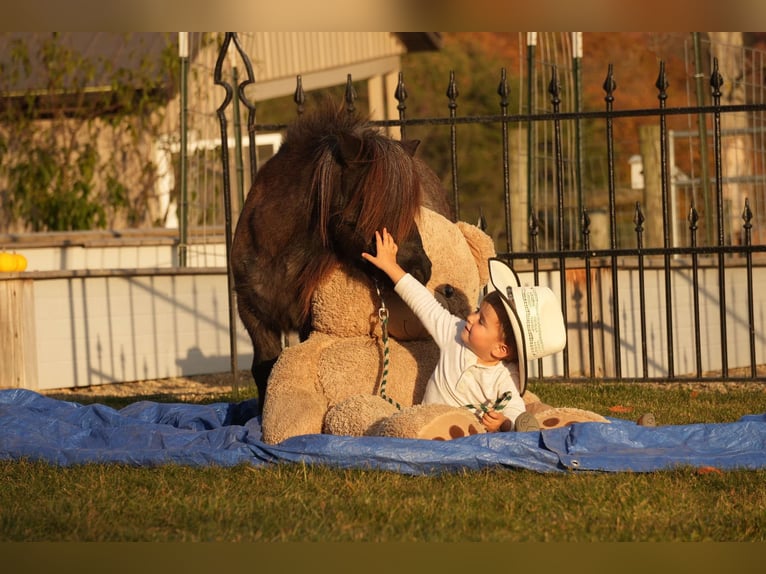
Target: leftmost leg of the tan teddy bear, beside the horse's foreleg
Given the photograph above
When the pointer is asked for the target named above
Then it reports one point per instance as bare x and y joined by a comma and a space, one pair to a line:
294, 406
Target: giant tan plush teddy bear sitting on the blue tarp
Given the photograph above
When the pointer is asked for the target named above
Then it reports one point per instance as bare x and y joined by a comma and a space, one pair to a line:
363, 369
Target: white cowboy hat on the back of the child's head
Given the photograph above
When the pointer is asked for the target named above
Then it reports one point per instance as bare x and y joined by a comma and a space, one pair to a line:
535, 316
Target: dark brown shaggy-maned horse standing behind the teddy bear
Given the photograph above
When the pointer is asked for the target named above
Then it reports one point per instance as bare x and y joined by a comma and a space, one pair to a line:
316, 202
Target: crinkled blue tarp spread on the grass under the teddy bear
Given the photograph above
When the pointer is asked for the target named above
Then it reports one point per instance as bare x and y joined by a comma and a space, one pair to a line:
145, 433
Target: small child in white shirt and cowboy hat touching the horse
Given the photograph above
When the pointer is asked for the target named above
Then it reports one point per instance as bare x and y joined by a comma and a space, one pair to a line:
482, 359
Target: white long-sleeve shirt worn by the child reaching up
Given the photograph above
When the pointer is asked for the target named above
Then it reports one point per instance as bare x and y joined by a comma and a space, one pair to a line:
458, 379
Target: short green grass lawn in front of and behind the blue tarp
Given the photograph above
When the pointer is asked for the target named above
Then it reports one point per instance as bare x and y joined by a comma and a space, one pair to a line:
293, 502
